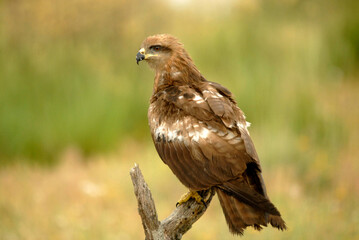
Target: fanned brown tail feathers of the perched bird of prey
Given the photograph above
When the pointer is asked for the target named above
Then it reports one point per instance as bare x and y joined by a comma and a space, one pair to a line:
240, 215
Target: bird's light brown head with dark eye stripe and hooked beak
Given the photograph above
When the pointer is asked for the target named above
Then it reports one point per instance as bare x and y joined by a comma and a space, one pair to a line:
157, 50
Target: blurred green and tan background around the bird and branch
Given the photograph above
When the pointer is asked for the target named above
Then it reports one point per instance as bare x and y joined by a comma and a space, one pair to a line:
73, 106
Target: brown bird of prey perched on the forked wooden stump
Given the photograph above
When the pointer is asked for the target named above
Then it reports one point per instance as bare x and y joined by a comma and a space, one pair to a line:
201, 134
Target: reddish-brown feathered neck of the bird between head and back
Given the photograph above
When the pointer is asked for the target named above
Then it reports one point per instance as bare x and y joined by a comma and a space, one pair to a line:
177, 71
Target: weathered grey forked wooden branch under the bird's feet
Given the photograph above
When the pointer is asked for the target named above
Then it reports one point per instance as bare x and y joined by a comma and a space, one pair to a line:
177, 223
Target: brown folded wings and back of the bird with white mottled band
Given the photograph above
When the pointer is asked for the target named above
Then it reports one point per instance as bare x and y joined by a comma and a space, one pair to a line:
209, 125
